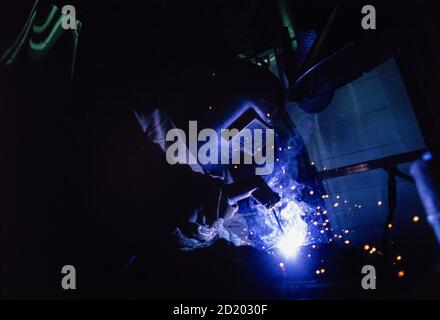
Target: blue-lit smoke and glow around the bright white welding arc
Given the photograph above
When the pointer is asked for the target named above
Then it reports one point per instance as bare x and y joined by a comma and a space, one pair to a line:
300, 217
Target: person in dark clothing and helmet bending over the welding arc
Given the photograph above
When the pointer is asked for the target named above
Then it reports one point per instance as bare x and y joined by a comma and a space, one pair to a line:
153, 208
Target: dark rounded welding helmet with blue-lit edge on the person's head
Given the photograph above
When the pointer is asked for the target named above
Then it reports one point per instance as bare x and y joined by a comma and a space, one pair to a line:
224, 95
